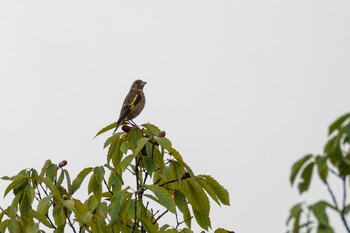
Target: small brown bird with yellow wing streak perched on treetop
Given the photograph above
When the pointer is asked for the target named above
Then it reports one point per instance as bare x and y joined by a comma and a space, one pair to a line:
133, 104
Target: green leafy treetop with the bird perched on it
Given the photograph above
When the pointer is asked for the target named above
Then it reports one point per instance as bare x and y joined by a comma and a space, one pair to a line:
164, 184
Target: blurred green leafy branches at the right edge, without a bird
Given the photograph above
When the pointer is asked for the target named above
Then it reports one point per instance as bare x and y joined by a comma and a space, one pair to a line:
334, 161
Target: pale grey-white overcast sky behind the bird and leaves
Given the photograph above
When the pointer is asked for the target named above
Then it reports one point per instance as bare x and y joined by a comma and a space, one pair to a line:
243, 88
